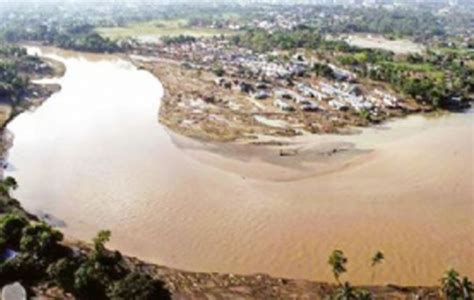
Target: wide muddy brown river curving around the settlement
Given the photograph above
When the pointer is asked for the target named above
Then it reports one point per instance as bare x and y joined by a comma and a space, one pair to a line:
95, 157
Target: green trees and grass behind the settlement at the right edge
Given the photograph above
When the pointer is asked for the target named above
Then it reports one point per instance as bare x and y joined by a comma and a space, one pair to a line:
432, 78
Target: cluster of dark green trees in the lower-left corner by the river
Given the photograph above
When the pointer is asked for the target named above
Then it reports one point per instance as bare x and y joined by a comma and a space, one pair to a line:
41, 258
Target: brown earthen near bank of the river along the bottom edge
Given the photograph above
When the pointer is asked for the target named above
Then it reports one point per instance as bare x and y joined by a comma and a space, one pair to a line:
195, 285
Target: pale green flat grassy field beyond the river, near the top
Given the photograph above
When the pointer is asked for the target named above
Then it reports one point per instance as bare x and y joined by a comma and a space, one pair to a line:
152, 30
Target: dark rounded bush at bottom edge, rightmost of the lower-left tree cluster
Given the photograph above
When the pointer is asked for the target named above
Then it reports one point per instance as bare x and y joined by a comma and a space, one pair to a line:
137, 286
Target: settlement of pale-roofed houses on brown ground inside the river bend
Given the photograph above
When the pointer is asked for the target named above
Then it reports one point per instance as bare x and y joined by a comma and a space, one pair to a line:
219, 91
